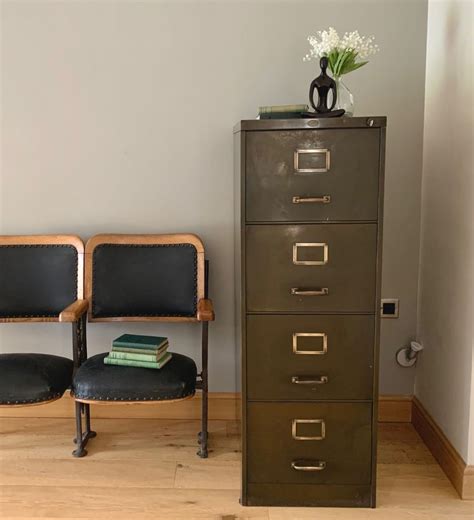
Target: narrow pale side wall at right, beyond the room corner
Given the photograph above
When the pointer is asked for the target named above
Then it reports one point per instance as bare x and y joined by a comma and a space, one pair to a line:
445, 371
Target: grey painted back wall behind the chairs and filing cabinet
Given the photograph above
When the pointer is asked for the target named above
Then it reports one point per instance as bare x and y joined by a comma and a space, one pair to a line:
117, 117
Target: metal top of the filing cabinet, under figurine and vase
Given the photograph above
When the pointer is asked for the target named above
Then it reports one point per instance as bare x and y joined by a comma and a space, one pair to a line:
311, 124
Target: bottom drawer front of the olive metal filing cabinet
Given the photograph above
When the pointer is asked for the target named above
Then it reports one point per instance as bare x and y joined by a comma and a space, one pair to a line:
318, 443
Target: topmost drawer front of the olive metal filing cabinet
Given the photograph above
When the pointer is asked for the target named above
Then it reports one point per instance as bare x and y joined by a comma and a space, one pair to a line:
312, 175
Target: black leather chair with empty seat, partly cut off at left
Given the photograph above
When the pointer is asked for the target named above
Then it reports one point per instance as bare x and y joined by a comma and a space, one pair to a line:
41, 280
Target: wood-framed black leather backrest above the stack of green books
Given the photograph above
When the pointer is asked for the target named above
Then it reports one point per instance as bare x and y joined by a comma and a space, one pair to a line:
133, 277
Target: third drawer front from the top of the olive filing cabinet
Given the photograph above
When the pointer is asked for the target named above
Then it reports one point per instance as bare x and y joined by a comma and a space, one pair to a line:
310, 357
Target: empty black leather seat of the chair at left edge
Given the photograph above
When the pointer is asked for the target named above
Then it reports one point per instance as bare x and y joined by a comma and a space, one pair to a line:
33, 378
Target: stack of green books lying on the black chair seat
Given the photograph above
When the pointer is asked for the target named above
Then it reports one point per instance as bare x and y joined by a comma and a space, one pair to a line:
132, 350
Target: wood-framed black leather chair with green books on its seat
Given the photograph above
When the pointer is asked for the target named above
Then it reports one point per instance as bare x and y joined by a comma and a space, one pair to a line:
144, 278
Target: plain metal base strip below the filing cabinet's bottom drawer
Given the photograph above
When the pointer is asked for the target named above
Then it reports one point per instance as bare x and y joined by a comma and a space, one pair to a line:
297, 495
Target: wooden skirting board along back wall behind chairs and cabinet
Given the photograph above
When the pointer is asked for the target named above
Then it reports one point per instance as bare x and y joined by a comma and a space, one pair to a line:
222, 406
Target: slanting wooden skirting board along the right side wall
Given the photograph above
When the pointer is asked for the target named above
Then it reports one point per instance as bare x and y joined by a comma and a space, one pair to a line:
460, 474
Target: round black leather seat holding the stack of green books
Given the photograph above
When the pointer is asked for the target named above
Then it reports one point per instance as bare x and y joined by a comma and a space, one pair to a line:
97, 381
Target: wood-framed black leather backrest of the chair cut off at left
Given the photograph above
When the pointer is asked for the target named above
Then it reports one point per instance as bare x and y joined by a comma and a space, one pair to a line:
39, 276
